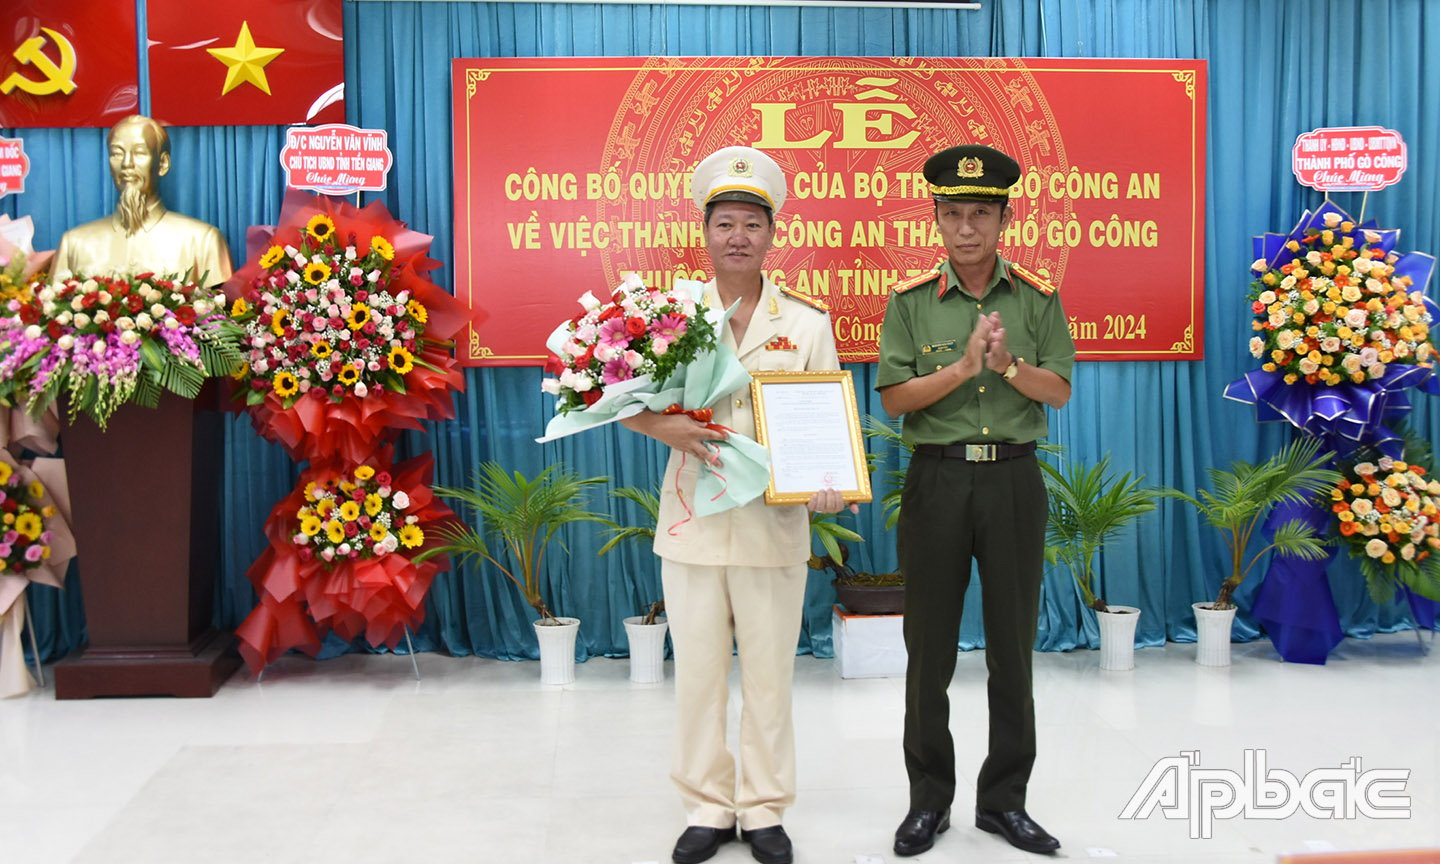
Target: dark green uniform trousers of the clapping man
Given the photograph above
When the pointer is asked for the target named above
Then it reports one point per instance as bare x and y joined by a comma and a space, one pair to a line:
954, 512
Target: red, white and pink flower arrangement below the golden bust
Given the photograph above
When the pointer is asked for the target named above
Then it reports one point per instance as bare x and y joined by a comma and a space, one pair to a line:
110, 341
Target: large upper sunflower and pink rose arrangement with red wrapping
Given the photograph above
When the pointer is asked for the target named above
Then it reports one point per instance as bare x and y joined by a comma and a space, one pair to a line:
346, 342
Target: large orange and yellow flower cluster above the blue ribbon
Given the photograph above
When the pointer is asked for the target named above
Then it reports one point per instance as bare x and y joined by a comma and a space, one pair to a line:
1333, 309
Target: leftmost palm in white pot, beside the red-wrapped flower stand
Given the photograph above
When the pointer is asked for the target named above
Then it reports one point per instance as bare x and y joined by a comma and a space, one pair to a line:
523, 515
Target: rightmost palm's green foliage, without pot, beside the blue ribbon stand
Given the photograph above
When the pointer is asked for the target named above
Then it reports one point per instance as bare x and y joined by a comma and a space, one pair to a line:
1243, 496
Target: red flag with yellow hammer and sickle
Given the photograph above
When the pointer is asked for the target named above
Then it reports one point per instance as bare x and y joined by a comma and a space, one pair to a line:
67, 64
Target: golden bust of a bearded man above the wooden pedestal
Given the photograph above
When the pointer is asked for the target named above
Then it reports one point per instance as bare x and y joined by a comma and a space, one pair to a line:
142, 235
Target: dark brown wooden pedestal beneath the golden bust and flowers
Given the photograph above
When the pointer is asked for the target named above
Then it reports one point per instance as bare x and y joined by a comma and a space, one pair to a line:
146, 509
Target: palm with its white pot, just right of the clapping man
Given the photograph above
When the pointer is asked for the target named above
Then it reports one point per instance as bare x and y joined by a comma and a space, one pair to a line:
1088, 508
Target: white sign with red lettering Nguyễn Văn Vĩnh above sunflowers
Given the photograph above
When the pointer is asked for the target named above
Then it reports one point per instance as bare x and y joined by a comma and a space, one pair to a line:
336, 159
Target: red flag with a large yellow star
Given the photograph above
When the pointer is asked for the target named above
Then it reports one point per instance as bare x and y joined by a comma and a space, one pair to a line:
247, 63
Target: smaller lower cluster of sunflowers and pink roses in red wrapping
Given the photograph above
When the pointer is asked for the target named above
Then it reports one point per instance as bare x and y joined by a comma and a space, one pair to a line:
355, 516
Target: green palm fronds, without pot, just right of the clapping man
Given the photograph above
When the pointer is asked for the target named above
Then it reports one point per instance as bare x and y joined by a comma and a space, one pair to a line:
1088, 508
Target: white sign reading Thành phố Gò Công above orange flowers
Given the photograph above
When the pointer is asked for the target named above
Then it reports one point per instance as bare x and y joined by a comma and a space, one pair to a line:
1350, 159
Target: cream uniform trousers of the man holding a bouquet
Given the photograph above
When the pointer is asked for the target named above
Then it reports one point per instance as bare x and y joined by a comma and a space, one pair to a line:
761, 610
